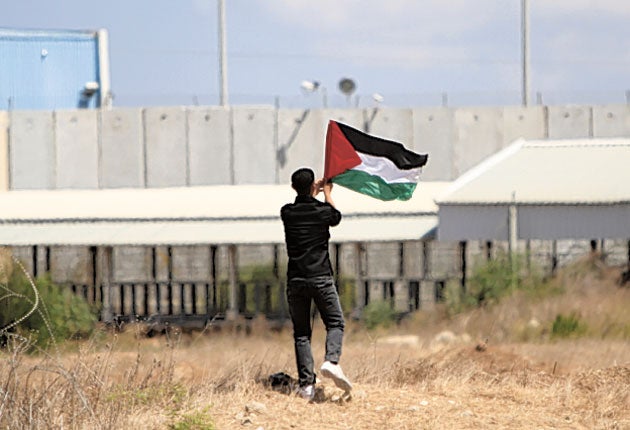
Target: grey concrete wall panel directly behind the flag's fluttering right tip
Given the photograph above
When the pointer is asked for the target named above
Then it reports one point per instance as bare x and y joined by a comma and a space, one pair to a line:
434, 135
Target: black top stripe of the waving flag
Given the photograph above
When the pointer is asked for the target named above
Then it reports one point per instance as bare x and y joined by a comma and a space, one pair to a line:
372, 145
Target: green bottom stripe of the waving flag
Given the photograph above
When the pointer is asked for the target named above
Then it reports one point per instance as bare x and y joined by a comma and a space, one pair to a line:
374, 186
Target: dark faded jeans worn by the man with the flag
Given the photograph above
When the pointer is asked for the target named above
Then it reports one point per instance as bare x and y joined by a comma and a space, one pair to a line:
300, 293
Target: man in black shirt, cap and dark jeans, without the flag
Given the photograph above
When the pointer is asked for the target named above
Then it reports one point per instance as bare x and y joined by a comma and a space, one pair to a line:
310, 278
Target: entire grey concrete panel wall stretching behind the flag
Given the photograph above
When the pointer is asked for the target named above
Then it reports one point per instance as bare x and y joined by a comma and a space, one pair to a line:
178, 146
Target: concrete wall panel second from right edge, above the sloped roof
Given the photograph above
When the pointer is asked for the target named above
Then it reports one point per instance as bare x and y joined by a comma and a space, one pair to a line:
567, 122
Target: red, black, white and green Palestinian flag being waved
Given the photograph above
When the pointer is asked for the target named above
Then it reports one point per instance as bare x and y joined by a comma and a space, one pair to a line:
370, 165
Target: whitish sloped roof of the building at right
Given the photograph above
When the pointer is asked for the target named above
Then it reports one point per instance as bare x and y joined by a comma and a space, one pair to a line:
576, 171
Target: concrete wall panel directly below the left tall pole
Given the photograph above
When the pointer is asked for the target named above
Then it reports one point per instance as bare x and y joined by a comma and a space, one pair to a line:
209, 143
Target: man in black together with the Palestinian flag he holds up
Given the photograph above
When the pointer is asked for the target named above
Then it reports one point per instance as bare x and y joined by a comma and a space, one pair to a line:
367, 164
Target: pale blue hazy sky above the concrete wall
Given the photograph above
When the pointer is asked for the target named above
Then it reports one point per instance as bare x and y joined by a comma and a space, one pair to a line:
411, 52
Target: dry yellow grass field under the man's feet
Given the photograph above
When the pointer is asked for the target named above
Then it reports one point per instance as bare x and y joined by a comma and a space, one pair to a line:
493, 367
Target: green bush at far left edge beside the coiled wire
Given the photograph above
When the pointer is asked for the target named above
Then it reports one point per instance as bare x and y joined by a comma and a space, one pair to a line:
61, 314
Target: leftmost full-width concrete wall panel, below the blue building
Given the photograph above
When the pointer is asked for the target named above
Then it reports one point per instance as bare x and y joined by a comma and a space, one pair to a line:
32, 150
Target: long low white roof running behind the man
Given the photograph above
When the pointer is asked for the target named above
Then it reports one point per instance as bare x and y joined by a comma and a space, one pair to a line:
247, 214
